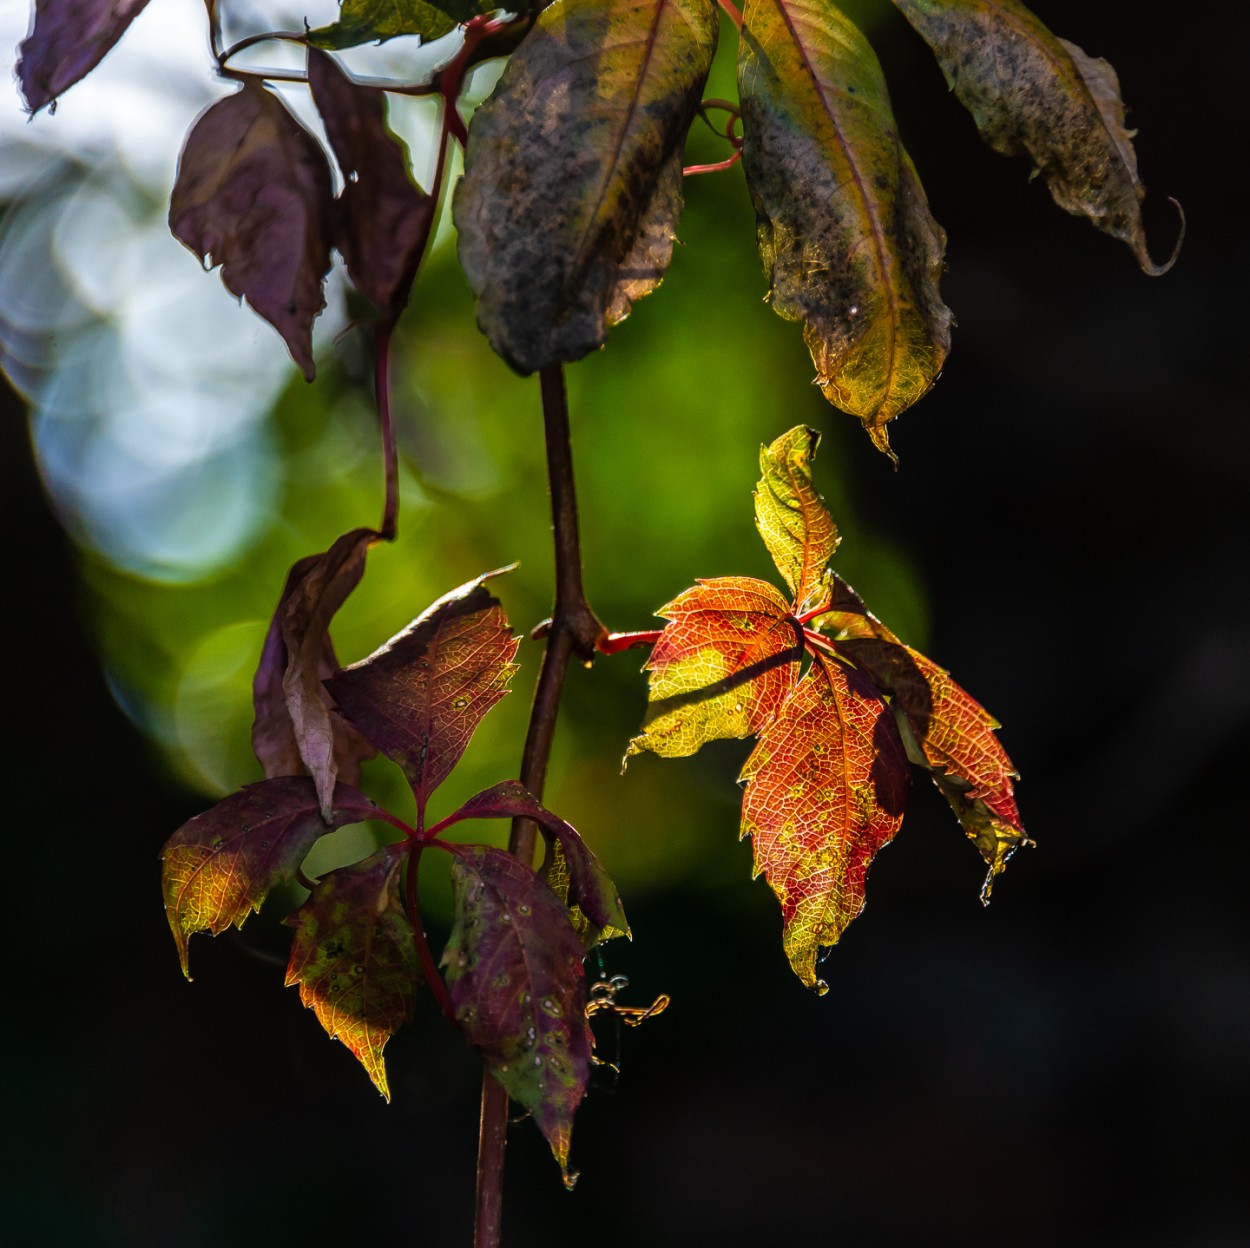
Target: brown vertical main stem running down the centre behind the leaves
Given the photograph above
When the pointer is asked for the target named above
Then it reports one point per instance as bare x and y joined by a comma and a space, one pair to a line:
574, 631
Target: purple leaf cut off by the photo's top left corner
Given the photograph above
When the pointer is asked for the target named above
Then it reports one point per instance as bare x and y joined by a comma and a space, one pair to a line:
69, 39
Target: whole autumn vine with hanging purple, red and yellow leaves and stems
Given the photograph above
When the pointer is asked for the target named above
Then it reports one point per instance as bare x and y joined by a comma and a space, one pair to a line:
566, 218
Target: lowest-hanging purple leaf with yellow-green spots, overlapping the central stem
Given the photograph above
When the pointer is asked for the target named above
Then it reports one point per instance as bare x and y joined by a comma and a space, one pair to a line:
514, 975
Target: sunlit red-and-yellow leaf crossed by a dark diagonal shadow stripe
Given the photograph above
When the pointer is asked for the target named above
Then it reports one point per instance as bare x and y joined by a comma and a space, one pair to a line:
722, 668
